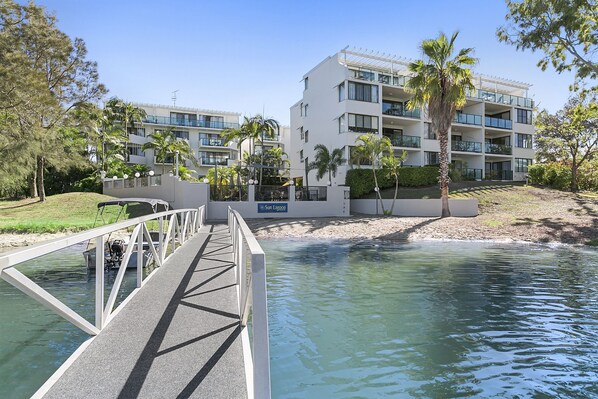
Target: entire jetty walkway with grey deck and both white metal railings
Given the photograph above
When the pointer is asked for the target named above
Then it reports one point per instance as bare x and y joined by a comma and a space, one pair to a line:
183, 332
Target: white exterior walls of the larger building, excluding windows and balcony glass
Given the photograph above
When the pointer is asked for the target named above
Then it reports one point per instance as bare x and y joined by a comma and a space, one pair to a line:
321, 122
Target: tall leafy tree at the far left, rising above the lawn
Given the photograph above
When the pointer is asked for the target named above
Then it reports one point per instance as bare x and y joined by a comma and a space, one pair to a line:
45, 75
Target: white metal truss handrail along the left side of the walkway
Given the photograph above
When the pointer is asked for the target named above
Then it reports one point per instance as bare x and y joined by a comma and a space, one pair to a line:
191, 221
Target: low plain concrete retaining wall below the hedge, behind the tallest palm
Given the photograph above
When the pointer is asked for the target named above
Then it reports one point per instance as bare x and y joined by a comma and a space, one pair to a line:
417, 207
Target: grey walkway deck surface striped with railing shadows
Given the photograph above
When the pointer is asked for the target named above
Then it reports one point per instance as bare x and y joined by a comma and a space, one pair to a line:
179, 337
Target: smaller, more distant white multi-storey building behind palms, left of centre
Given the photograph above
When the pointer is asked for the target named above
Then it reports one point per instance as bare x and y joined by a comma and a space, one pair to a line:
201, 129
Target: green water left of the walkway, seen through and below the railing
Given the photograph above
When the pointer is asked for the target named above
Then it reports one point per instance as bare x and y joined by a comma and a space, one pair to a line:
34, 341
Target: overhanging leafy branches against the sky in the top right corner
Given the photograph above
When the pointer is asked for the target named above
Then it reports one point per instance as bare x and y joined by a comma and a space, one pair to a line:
565, 30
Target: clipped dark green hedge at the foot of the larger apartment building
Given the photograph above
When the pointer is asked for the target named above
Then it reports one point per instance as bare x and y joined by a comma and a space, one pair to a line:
361, 181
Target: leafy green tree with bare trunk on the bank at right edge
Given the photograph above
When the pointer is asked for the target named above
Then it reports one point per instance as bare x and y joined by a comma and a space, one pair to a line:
570, 135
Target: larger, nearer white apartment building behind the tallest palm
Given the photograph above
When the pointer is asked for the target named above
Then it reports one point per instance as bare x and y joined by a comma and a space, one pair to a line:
355, 92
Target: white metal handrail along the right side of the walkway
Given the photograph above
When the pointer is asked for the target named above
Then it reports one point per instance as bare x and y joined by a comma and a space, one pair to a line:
252, 299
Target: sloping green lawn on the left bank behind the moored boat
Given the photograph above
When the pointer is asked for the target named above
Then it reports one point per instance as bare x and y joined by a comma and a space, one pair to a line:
63, 212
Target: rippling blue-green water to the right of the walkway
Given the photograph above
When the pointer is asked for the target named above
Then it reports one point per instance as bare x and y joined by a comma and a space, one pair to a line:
432, 320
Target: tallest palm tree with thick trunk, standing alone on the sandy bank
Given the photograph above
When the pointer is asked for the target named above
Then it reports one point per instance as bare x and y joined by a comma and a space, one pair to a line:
440, 83
